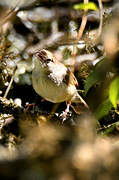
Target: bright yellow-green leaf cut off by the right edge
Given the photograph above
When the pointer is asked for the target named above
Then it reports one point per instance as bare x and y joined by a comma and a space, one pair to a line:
114, 91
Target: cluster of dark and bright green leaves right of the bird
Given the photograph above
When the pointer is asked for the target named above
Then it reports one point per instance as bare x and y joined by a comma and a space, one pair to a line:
98, 75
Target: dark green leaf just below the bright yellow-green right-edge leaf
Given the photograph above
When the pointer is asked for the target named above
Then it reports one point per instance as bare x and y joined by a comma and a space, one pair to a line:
103, 109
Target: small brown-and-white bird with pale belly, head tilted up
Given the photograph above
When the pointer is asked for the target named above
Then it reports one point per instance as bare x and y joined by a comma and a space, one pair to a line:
53, 81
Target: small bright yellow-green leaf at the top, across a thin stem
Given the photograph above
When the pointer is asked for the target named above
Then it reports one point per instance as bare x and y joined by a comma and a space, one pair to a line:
86, 6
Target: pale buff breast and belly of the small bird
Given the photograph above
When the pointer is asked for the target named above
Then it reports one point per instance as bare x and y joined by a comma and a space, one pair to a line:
49, 90
